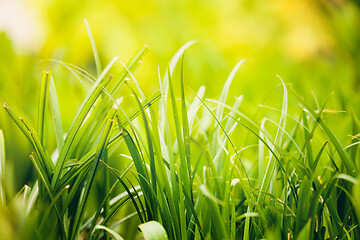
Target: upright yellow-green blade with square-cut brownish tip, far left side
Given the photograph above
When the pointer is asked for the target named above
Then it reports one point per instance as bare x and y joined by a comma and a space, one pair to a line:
44, 91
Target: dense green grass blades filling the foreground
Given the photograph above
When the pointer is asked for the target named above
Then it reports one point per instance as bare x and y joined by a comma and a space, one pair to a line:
199, 169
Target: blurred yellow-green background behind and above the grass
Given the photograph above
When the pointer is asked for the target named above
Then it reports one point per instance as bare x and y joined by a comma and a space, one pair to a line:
313, 45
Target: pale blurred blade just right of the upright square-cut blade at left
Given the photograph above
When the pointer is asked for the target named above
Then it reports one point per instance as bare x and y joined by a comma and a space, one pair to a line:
55, 109
